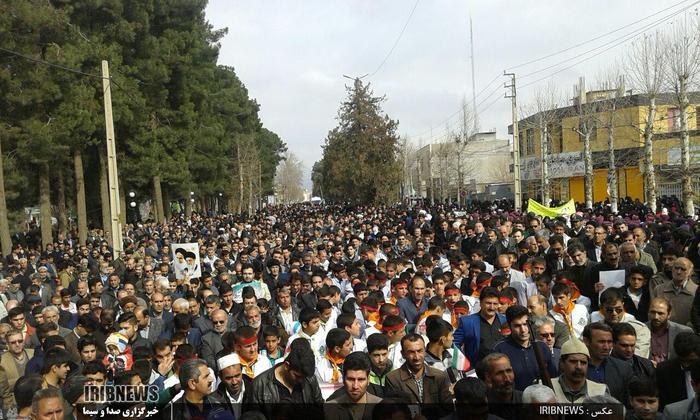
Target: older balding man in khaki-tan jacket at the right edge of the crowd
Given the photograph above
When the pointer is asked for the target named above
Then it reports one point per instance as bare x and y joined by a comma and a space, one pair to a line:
680, 292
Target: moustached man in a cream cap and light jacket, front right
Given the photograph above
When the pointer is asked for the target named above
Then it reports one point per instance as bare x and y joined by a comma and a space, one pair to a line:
572, 386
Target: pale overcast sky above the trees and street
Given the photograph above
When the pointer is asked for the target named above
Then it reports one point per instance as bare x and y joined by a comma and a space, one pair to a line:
292, 55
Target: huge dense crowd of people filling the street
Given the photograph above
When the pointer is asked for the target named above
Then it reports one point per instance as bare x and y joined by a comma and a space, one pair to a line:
361, 312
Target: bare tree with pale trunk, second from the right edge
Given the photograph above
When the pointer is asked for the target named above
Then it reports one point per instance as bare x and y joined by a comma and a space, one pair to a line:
646, 68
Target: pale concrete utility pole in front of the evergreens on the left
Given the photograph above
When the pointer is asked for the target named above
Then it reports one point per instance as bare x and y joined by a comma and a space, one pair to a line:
112, 174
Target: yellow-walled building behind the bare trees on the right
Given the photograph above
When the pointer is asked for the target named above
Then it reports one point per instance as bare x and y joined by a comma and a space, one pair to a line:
565, 145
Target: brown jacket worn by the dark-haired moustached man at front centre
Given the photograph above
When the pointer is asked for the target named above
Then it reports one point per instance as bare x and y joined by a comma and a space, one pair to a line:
436, 385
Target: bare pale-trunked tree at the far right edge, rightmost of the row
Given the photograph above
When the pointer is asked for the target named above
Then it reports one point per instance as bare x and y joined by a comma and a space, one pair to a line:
683, 58
